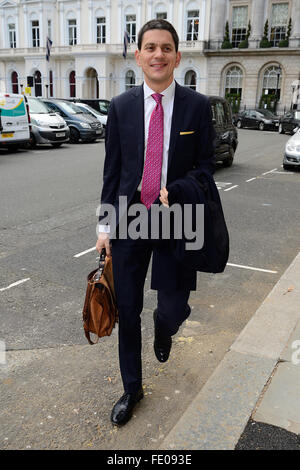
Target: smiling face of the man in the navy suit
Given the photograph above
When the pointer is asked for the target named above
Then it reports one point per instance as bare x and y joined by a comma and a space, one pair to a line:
158, 58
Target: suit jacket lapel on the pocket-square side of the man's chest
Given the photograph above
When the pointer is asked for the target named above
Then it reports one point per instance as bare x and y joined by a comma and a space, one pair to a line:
177, 119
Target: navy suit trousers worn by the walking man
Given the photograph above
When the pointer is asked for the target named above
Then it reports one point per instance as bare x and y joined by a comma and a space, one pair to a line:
130, 264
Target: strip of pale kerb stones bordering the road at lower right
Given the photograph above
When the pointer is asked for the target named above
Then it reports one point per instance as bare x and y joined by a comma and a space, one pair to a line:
218, 415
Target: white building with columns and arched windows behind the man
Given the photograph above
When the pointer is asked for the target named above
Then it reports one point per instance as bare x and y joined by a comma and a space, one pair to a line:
87, 43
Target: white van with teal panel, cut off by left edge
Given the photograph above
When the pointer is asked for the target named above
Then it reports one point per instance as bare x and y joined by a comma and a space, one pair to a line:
14, 120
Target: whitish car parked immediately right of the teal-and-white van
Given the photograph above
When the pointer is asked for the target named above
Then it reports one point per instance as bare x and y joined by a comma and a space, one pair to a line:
46, 127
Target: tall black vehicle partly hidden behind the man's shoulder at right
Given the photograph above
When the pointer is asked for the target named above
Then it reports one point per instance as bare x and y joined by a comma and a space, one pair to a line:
226, 133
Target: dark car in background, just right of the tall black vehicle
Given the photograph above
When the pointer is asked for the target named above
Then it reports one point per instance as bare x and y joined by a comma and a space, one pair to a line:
257, 119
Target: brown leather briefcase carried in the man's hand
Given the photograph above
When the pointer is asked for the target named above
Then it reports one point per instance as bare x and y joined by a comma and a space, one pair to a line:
100, 310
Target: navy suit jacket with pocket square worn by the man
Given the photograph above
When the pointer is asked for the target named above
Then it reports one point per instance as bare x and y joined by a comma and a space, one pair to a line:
191, 141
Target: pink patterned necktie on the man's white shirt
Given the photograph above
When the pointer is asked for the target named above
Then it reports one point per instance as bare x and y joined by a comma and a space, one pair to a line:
154, 154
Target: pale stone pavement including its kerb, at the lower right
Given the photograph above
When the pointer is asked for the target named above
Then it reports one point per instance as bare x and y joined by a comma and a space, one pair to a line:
259, 378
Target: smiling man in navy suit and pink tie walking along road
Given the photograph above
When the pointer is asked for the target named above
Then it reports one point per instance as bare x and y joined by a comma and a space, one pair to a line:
156, 133
